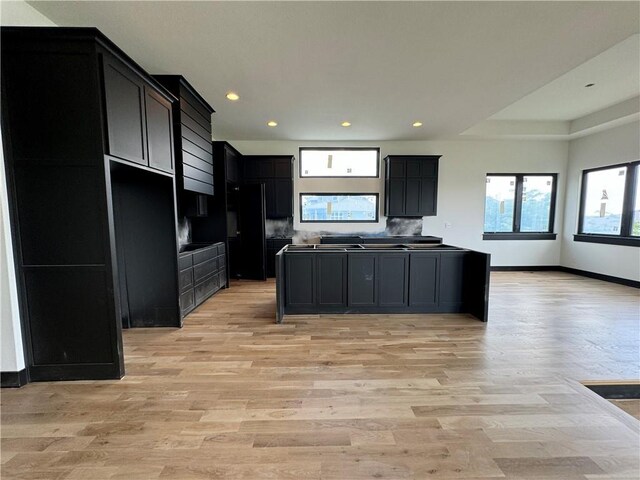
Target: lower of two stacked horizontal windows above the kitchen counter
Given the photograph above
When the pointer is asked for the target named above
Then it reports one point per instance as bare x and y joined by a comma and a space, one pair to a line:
339, 207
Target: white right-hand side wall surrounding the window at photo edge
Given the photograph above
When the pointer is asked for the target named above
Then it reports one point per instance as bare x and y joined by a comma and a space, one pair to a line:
618, 145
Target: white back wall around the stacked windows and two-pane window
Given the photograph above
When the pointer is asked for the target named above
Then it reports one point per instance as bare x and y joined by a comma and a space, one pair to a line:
461, 189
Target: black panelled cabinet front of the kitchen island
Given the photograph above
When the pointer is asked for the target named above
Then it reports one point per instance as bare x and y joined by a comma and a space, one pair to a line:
368, 282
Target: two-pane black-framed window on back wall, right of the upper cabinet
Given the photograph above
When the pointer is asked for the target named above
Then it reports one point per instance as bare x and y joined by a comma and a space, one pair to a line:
519, 207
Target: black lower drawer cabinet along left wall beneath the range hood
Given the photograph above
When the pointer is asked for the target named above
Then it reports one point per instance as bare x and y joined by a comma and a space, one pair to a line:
203, 272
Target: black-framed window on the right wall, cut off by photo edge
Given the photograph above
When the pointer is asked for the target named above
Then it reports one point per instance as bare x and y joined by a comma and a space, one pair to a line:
610, 205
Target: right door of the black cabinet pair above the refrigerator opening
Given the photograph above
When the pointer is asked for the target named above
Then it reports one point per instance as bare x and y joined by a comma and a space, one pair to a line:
159, 131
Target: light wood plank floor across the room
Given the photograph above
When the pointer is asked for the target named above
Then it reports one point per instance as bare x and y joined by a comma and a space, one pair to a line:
233, 395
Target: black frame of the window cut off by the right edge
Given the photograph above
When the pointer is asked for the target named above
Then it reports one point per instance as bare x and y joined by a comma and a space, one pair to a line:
632, 182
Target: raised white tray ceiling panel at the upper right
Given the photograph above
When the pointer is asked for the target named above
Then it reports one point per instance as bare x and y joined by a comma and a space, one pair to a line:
615, 74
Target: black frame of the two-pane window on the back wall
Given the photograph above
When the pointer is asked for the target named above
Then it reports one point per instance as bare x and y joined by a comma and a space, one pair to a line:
516, 234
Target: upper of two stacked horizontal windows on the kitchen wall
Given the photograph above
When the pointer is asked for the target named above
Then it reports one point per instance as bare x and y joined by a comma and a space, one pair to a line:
339, 162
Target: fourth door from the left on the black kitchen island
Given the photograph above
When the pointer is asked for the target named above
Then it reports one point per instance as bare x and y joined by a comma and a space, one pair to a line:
393, 273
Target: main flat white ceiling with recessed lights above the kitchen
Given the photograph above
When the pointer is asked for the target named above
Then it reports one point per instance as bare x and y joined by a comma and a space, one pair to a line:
380, 65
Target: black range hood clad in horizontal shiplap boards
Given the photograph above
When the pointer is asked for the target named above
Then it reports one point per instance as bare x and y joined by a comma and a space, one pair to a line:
192, 132
